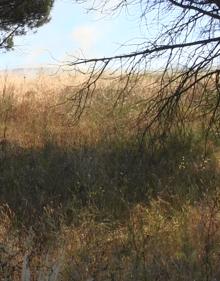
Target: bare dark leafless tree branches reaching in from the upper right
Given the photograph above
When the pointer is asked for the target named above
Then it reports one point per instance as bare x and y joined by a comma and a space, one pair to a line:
187, 48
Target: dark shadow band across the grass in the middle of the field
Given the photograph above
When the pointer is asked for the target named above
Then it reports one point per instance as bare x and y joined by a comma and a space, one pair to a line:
109, 178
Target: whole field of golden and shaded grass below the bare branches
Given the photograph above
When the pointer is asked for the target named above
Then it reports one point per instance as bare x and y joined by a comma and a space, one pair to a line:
86, 202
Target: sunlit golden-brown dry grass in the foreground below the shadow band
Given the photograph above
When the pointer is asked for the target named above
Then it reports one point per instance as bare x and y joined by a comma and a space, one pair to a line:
156, 242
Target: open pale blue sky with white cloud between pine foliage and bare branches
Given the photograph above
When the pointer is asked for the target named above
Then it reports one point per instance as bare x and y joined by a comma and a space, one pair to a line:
72, 31
